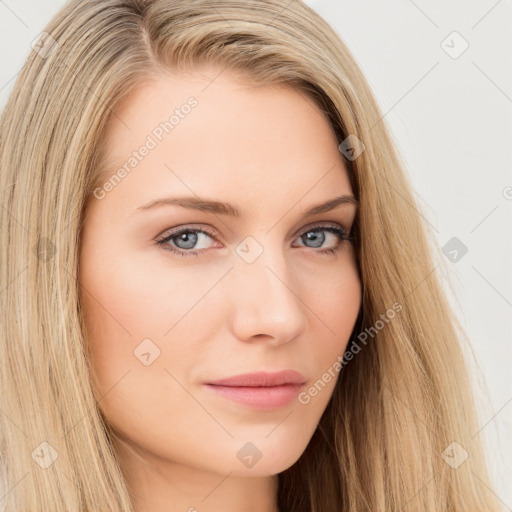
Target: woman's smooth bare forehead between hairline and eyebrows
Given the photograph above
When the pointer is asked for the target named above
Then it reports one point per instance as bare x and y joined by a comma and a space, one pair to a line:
214, 134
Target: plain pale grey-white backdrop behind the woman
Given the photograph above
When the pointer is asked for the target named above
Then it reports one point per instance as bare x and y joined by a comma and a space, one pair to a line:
441, 73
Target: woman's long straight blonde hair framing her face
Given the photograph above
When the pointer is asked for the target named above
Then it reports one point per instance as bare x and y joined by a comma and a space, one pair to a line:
399, 403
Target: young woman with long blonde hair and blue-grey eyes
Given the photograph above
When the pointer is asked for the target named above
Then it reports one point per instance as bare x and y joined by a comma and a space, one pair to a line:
240, 348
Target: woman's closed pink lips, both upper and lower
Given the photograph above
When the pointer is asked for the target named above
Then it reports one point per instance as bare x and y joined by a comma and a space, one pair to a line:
260, 390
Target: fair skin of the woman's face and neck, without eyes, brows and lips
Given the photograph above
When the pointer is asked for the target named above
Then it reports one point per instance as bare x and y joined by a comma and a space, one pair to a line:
271, 152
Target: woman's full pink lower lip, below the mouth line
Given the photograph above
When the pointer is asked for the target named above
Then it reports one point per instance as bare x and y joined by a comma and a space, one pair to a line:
269, 397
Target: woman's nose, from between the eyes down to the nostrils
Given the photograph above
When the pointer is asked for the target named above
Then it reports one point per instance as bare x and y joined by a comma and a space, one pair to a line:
265, 300
